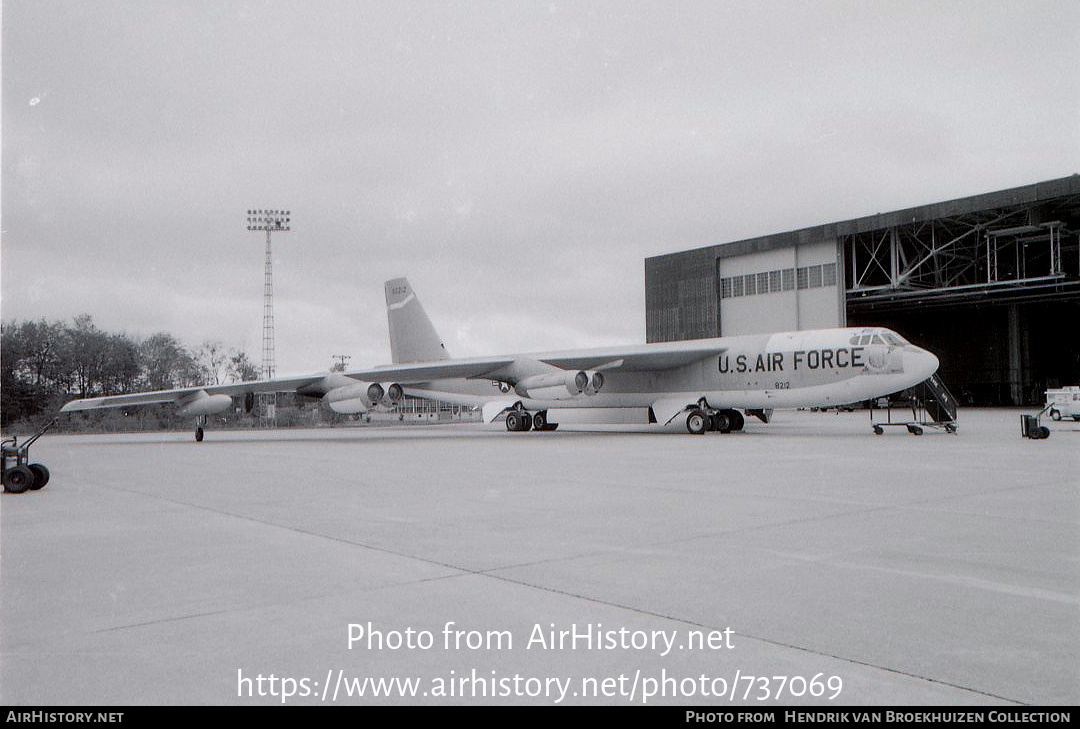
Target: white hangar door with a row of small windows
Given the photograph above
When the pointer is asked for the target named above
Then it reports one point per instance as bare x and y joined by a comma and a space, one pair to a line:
784, 290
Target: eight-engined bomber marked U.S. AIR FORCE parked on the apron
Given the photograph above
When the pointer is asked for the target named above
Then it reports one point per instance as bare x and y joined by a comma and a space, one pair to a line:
709, 383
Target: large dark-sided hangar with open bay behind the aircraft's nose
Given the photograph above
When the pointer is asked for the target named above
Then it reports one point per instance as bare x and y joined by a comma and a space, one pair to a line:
990, 283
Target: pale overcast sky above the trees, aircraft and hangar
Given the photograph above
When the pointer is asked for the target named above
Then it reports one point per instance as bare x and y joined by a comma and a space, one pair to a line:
518, 161
